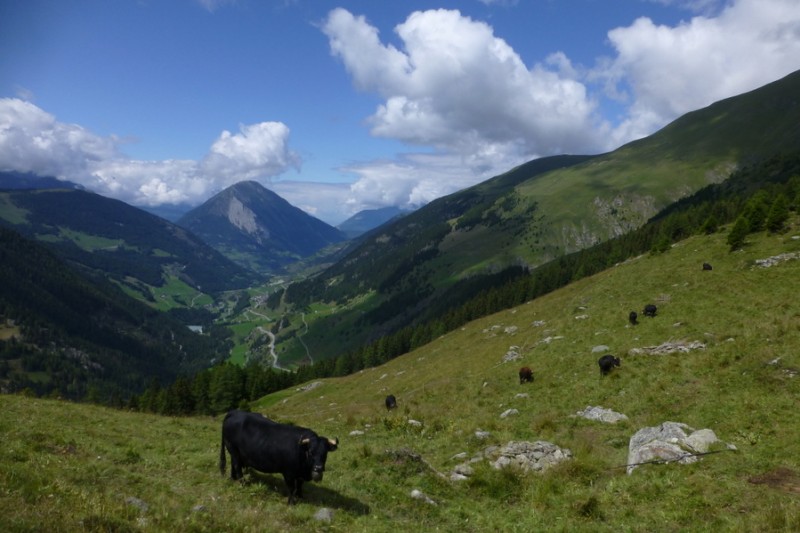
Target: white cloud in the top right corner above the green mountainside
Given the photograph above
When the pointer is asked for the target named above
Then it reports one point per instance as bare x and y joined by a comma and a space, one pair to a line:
669, 71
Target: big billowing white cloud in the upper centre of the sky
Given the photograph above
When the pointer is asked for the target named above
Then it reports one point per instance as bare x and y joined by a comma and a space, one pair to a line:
458, 87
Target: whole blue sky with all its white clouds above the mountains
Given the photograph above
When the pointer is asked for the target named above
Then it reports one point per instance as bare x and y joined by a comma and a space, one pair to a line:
344, 106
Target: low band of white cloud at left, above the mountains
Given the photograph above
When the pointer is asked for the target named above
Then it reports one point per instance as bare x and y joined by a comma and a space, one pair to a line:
32, 140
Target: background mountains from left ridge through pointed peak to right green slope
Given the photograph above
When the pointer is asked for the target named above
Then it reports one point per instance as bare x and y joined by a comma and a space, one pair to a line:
414, 266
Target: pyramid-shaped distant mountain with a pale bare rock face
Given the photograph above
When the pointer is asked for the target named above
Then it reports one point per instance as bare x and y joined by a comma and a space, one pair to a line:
258, 229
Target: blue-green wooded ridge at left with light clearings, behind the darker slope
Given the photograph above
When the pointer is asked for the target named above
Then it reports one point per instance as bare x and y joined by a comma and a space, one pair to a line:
108, 237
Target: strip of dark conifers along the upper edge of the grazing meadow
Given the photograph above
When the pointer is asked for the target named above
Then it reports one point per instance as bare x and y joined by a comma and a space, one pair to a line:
759, 199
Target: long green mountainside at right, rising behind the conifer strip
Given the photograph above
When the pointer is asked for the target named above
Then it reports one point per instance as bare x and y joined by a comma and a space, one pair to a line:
538, 212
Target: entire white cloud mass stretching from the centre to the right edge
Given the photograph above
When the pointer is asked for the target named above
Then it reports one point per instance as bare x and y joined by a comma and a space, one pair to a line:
452, 86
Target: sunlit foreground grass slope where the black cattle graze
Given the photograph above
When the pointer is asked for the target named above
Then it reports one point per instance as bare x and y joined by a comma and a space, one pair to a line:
72, 467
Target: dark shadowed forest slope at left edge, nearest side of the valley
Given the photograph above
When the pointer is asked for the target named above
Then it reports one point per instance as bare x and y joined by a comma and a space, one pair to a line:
64, 335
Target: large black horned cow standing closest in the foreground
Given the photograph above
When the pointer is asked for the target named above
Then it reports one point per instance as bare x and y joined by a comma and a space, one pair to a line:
257, 442
